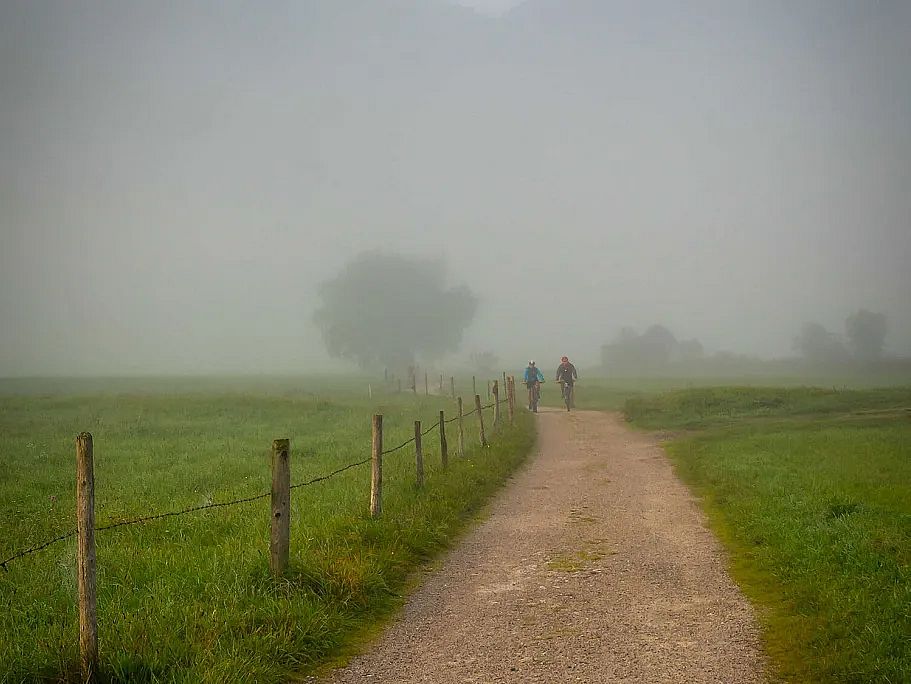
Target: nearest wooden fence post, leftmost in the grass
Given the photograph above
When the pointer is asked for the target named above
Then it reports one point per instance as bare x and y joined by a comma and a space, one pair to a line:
85, 556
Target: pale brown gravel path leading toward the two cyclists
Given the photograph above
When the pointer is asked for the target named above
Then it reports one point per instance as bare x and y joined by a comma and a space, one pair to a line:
594, 565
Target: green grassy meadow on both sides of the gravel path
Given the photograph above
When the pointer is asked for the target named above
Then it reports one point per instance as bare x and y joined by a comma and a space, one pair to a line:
809, 489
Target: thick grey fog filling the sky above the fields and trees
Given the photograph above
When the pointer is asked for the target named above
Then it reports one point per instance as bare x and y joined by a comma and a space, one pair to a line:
177, 179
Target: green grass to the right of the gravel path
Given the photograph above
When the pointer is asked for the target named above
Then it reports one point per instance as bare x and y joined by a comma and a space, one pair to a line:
810, 490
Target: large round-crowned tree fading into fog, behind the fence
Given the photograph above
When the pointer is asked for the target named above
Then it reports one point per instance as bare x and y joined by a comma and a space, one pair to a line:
385, 309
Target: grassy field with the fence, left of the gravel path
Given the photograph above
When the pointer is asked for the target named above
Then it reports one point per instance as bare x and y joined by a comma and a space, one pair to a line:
189, 598
